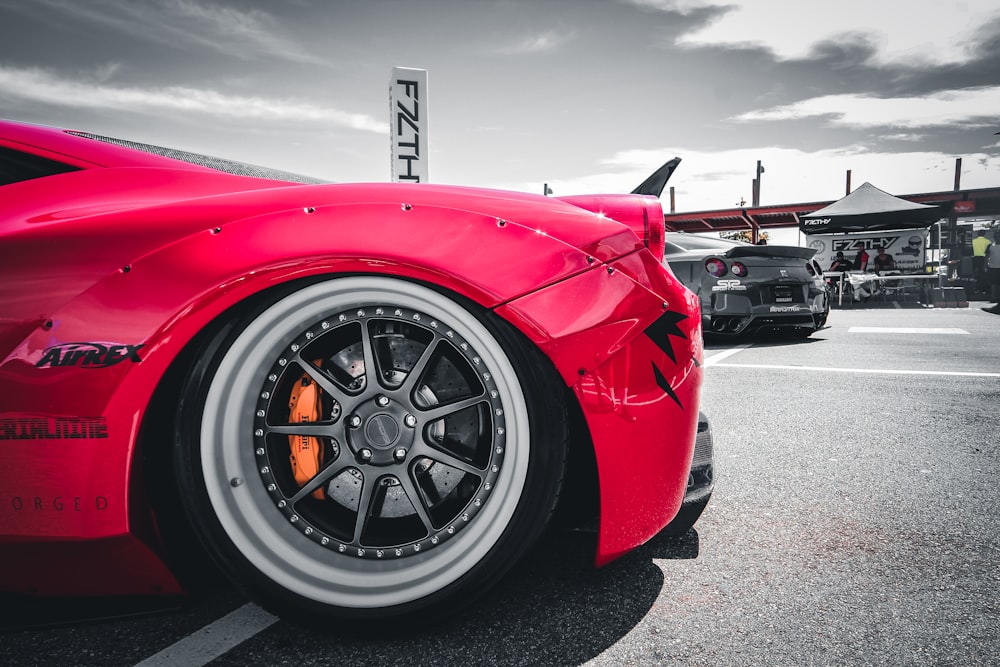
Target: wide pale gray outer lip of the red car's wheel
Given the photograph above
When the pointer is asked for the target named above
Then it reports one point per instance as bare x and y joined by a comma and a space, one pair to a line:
248, 516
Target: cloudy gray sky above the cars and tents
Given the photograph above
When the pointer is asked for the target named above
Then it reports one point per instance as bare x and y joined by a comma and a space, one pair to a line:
586, 95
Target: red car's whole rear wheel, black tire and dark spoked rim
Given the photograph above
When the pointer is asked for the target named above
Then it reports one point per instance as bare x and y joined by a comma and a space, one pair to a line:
318, 559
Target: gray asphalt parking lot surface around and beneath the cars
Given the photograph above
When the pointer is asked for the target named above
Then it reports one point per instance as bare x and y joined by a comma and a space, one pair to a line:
854, 522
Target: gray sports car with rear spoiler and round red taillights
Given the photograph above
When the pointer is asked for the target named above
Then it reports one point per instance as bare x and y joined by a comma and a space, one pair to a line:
750, 289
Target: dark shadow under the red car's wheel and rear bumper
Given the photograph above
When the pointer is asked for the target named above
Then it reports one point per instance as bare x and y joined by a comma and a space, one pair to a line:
554, 607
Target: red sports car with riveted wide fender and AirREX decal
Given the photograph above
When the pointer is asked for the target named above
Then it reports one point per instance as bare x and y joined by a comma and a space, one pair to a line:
363, 400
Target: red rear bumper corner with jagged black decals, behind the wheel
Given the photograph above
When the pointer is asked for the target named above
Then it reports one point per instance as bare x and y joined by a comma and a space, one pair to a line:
637, 381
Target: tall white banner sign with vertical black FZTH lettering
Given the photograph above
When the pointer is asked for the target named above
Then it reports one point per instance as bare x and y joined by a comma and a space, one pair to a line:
408, 124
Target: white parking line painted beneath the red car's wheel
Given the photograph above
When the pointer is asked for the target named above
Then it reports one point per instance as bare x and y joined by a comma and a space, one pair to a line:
214, 639
